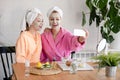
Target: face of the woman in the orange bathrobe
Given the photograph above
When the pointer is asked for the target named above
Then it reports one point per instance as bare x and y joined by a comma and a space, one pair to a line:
38, 22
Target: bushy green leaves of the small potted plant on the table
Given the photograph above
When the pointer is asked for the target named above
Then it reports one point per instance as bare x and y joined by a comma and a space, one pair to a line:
110, 59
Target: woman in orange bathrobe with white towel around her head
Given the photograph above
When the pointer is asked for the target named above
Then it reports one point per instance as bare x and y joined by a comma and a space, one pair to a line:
28, 46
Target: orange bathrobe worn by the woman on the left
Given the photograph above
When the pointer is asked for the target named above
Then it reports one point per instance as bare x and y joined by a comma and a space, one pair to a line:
28, 48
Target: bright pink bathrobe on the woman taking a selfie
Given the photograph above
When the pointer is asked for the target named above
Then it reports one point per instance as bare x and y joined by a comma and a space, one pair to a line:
62, 46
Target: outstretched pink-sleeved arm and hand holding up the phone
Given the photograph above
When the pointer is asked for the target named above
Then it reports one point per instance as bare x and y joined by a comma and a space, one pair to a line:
76, 43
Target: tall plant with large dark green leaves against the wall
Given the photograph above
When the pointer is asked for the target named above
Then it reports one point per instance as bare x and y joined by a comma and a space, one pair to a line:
106, 14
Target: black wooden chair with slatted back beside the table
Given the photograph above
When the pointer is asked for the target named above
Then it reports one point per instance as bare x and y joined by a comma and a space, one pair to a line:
7, 53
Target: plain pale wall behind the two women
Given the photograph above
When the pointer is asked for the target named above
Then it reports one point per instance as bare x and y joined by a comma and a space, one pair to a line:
12, 11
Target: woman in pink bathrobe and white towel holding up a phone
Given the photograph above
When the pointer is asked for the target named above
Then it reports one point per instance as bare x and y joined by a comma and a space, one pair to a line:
57, 42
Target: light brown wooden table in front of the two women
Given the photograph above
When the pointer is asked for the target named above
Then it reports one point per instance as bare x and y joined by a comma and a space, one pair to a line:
95, 74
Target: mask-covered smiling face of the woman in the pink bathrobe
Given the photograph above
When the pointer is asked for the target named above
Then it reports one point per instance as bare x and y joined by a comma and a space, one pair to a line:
54, 20
